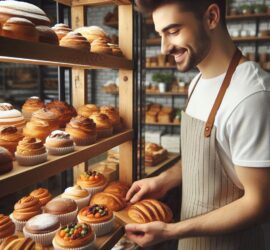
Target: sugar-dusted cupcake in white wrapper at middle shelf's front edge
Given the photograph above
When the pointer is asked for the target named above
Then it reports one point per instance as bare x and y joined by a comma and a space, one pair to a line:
59, 143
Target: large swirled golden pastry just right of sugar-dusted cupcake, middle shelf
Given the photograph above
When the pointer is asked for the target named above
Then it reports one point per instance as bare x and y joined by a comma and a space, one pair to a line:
82, 130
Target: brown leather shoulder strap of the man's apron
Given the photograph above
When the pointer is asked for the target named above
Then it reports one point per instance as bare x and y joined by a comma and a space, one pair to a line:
232, 67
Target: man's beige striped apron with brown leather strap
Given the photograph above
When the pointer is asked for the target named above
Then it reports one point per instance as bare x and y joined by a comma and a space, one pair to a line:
206, 185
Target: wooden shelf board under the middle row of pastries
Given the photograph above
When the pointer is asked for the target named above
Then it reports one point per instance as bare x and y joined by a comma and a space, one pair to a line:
21, 177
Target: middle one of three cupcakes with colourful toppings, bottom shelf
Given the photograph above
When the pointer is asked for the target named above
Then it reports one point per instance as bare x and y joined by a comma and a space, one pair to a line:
99, 217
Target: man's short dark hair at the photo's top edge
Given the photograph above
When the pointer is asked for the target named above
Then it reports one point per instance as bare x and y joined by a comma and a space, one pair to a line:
195, 6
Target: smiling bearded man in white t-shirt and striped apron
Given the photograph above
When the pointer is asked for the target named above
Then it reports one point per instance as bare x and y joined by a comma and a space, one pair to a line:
225, 135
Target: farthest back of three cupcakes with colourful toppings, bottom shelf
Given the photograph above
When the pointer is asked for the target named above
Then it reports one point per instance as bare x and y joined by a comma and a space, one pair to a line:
92, 181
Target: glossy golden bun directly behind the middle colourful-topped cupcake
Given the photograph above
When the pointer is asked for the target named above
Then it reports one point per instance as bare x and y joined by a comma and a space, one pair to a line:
111, 201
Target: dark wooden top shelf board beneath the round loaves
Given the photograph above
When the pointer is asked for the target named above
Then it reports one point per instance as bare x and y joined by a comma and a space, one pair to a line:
17, 51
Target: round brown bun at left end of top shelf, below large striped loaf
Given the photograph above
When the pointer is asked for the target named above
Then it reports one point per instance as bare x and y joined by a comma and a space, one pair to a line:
20, 28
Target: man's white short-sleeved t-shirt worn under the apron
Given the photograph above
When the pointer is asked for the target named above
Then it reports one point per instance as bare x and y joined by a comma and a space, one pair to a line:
243, 119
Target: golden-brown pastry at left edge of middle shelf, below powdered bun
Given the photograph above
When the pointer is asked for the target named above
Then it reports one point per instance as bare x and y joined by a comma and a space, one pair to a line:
9, 138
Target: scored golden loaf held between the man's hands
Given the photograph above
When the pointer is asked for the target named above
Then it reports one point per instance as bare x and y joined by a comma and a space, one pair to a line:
149, 210
